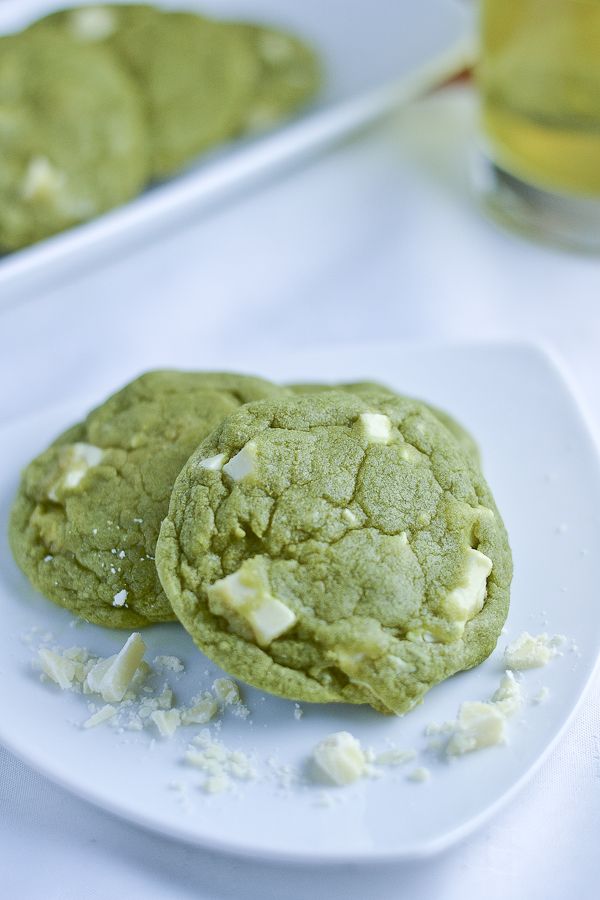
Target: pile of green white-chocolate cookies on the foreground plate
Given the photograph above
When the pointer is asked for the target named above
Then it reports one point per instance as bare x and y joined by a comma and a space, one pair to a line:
326, 545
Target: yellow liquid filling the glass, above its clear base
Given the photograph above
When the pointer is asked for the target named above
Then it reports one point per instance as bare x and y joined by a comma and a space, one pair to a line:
539, 79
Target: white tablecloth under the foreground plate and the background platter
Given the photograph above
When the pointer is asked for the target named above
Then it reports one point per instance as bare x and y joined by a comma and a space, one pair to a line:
380, 238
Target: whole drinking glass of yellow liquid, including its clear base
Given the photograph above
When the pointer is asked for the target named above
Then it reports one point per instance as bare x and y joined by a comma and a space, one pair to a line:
539, 83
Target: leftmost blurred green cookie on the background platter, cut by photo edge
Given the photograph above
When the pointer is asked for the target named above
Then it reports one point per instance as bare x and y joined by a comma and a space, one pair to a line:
72, 135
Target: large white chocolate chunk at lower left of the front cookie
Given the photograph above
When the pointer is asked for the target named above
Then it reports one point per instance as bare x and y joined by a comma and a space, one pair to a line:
246, 593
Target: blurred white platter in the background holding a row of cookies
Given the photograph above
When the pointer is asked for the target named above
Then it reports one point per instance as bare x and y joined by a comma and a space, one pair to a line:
373, 58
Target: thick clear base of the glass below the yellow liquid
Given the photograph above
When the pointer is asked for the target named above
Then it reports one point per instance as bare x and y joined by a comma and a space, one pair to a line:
559, 219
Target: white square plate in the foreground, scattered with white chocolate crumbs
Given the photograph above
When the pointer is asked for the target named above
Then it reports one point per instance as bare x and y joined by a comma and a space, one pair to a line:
543, 468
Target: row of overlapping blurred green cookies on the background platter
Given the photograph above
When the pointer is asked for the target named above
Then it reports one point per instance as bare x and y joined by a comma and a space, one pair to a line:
99, 101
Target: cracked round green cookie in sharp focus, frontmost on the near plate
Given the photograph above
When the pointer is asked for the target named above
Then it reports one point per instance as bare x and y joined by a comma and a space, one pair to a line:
329, 547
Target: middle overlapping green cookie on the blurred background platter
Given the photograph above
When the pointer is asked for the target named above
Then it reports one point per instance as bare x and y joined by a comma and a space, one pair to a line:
196, 75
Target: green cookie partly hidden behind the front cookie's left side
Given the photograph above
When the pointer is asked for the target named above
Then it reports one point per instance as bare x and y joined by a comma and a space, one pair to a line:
86, 518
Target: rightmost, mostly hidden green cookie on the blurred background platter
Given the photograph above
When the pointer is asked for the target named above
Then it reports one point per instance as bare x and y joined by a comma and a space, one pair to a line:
290, 76
